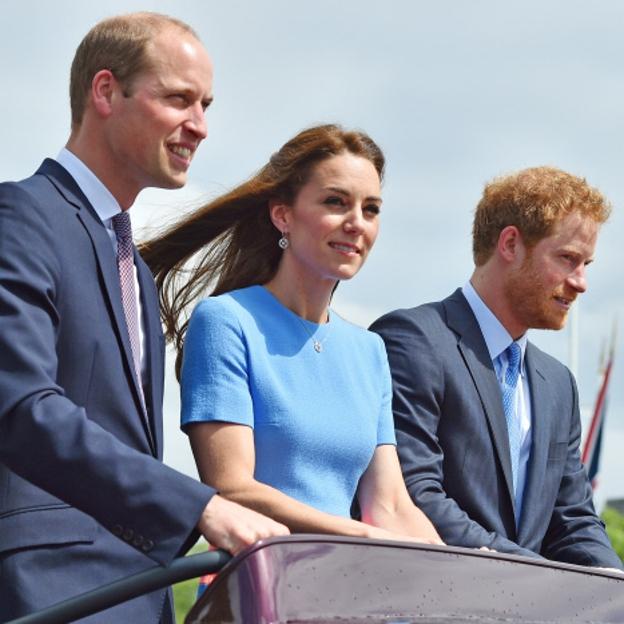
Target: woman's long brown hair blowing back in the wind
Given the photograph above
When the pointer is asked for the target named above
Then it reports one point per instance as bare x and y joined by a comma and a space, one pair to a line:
230, 242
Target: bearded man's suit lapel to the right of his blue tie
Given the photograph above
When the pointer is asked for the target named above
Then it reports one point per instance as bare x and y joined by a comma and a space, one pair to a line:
540, 433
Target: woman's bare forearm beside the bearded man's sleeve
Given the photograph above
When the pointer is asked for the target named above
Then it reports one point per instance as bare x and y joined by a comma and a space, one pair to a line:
385, 502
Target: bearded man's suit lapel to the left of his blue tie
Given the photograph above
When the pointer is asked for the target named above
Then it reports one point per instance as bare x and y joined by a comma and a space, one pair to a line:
476, 356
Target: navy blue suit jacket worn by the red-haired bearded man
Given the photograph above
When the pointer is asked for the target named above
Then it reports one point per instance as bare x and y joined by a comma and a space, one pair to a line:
453, 444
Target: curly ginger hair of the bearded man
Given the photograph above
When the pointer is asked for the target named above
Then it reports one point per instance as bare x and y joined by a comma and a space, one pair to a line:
533, 200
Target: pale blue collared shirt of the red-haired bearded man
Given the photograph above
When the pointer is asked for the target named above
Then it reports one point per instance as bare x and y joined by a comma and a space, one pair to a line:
497, 339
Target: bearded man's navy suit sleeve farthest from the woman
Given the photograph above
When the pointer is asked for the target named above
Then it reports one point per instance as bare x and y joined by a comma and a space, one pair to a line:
575, 533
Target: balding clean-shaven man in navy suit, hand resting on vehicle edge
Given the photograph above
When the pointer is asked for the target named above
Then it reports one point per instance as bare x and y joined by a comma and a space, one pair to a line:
84, 495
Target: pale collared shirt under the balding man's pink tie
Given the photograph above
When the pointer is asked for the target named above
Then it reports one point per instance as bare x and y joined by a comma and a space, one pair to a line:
106, 207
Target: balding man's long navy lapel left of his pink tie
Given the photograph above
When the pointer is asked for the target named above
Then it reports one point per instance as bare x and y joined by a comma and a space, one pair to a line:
107, 264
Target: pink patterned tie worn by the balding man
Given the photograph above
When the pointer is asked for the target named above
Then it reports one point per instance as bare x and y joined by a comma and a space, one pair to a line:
125, 265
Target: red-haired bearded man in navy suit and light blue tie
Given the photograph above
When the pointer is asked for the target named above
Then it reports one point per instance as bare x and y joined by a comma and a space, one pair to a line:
488, 426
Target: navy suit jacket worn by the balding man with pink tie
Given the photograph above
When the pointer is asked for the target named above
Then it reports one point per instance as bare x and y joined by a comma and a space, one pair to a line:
84, 495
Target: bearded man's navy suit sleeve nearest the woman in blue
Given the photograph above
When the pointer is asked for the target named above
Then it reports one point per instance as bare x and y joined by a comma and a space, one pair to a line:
418, 404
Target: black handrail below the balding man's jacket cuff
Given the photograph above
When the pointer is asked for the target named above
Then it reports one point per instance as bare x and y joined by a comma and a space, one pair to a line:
129, 587
